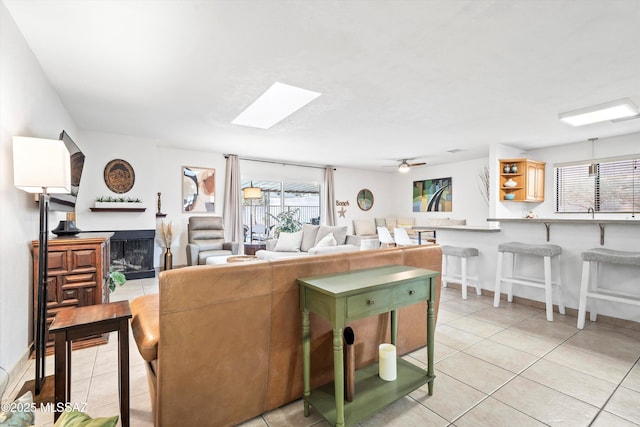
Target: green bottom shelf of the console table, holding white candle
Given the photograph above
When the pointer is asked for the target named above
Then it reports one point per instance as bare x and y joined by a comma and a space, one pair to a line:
371, 392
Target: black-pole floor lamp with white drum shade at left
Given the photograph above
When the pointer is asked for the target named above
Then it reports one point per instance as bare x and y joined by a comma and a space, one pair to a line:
41, 166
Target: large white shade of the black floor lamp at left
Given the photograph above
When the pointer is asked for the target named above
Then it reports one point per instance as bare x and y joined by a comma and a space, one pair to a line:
41, 163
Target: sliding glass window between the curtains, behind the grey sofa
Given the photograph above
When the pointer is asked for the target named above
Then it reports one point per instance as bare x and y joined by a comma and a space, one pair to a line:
278, 196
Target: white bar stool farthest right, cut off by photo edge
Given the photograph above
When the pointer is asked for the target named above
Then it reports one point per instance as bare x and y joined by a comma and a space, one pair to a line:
590, 289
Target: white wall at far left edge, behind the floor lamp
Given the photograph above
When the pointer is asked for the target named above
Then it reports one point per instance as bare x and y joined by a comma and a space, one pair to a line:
28, 107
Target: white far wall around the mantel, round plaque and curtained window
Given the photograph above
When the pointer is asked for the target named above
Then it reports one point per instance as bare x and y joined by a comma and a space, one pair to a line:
159, 168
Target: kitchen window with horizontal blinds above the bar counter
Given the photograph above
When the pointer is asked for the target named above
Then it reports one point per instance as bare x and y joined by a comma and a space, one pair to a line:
615, 187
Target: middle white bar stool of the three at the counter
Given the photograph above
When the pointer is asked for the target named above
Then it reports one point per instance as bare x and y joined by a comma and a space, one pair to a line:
547, 252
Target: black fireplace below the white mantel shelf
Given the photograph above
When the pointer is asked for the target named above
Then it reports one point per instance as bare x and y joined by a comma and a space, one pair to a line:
132, 253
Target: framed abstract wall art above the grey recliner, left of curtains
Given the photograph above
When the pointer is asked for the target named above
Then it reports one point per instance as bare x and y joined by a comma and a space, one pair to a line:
198, 189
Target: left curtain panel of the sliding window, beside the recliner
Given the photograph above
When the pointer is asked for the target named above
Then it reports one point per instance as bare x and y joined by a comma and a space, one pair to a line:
232, 201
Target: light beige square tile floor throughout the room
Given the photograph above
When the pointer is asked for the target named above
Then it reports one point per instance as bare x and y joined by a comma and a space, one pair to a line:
495, 367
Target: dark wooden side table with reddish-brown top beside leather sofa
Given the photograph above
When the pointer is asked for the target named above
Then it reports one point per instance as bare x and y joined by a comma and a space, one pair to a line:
75, 323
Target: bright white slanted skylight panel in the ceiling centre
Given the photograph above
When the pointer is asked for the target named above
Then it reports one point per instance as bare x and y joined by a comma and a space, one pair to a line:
277, 103
